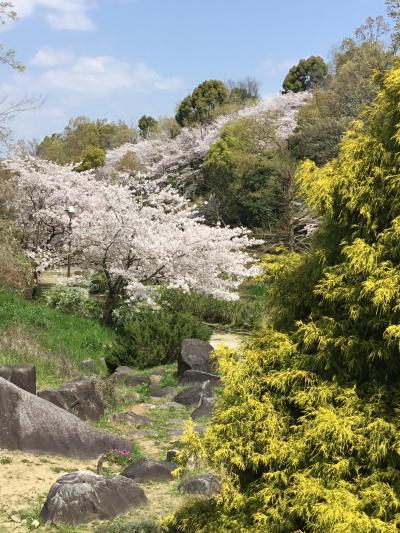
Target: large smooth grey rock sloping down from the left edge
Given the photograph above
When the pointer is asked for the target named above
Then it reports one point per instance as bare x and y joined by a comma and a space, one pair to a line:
31, 424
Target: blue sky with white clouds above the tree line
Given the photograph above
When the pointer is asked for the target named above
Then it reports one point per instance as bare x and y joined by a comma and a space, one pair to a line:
119, 59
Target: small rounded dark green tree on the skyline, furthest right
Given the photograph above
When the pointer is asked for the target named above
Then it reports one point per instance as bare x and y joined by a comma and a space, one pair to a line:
306, 75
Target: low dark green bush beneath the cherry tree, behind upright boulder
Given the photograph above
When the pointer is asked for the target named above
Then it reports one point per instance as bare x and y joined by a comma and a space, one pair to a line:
151, 337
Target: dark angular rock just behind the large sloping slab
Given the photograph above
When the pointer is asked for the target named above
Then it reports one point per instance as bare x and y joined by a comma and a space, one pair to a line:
79, 397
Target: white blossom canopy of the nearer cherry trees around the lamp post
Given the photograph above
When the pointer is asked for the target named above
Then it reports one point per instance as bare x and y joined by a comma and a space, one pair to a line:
138, 236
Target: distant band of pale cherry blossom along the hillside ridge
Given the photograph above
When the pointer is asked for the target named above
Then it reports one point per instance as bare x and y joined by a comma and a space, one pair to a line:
162, 156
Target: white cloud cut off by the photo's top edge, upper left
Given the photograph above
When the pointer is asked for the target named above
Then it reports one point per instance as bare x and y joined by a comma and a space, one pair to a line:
60, 14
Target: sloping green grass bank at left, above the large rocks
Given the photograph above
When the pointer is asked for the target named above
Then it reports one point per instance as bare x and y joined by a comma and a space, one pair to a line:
31, 332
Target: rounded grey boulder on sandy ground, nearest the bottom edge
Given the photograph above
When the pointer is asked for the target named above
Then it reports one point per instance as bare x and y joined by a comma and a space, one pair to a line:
82, 497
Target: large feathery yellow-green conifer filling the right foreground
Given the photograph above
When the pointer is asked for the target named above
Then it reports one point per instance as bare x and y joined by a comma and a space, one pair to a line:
317, 447
